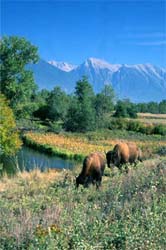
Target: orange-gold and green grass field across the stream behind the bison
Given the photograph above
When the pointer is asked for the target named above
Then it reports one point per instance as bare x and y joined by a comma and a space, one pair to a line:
77, 146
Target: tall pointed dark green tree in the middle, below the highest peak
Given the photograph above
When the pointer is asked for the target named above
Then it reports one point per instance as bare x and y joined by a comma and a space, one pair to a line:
81, 113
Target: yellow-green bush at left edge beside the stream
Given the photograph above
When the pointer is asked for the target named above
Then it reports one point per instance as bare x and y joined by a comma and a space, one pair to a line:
9, 138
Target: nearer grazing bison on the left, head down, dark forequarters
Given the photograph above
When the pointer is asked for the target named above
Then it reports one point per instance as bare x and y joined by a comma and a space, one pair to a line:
92, 170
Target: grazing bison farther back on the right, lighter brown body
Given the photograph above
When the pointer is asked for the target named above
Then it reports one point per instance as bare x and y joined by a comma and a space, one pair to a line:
124, 153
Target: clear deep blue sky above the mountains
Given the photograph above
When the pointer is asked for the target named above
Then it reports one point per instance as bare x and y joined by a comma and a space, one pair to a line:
118, 31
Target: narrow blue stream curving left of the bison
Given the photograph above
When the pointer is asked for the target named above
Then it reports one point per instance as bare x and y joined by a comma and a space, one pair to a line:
28, 159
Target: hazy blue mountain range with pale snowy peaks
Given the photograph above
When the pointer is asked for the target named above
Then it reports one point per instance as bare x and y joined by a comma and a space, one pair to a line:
139, 83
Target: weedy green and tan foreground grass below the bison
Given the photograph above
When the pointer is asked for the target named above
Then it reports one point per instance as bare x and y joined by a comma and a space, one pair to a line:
45, 211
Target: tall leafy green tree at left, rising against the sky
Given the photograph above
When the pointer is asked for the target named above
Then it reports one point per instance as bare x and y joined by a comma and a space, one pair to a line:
17, 83
